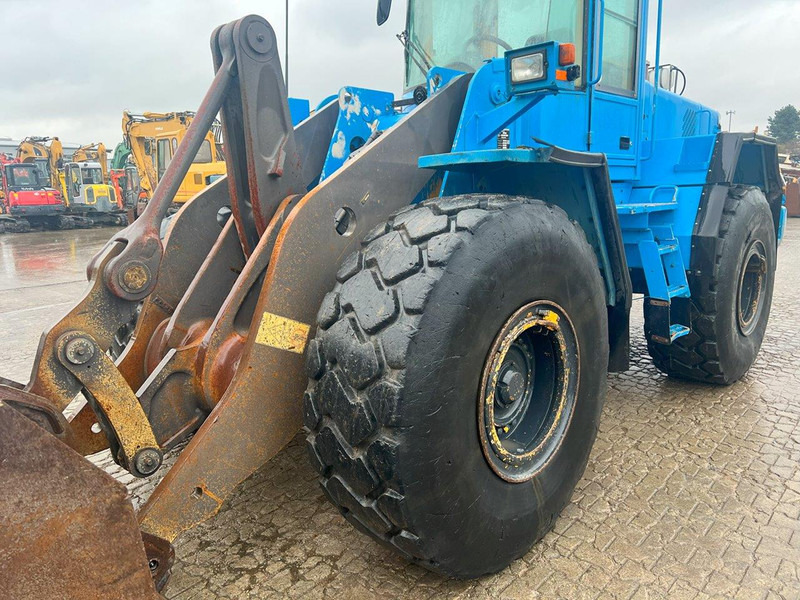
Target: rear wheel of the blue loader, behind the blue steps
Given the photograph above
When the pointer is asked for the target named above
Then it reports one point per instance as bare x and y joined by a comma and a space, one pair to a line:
729, 314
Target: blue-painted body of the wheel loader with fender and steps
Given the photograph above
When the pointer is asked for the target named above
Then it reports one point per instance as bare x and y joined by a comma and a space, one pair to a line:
644, 171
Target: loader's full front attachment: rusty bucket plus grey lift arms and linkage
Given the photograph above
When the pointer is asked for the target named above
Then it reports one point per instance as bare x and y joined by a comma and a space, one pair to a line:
223, 305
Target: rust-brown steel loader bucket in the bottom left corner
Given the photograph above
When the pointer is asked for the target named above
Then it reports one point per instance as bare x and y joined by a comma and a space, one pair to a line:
67, 529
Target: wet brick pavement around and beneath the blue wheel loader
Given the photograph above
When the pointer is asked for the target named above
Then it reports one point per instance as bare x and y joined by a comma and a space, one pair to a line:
691, 491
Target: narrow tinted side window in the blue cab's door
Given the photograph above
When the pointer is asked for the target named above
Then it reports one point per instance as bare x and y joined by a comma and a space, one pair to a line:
620, 46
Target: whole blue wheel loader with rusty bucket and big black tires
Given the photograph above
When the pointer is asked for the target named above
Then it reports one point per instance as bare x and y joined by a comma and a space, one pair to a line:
434, 285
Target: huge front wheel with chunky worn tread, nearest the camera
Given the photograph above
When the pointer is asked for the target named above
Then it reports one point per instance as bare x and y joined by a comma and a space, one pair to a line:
457, 379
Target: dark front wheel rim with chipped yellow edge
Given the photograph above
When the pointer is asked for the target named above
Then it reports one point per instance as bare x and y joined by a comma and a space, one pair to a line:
528, 391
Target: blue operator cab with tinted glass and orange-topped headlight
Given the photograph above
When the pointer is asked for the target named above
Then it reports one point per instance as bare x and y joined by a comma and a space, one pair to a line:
570, 73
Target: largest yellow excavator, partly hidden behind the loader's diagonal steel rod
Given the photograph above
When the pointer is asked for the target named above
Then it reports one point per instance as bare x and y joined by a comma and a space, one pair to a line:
153, 139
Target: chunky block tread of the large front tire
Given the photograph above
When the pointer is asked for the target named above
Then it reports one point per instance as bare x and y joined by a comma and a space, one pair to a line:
356, 463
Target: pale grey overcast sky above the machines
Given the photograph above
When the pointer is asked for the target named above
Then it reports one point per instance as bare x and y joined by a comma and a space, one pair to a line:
70, 69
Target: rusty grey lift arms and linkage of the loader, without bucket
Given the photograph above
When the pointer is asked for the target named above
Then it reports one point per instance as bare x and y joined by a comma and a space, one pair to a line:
226, 312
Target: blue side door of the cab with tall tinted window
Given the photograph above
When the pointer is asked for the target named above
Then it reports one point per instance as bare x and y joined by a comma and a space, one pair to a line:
615, 103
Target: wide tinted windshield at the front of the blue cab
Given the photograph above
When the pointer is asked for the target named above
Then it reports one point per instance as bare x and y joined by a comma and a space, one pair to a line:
461, 35
